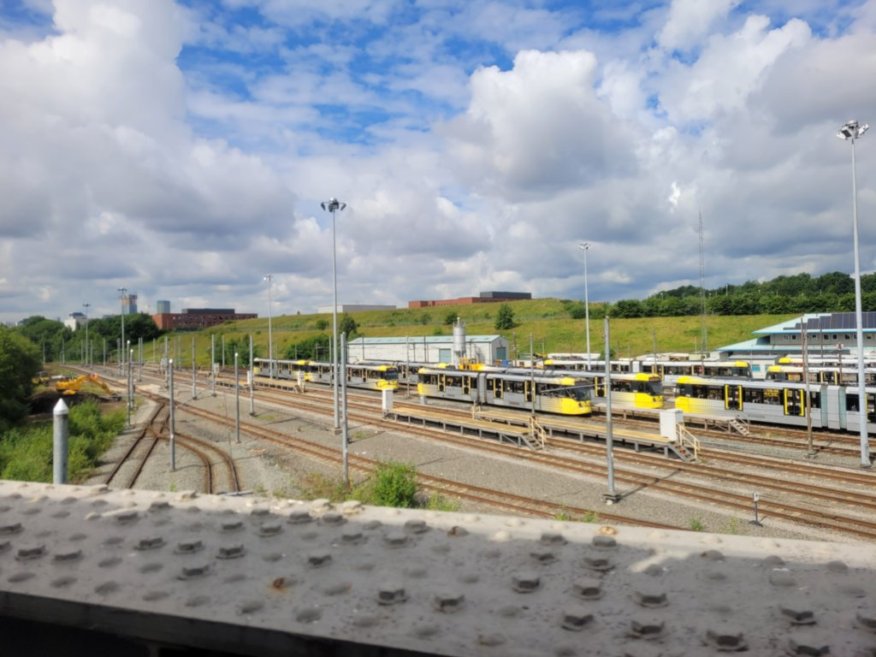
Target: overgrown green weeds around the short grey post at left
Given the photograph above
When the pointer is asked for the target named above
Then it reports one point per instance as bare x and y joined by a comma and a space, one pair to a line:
26, 452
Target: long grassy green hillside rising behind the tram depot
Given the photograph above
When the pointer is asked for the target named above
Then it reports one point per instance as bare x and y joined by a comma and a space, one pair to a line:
546, 320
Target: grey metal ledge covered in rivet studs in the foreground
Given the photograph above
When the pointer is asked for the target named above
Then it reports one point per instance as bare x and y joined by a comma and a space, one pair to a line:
440, 583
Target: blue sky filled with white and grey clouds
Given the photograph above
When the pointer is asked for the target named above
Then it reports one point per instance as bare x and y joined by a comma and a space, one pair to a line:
182, 150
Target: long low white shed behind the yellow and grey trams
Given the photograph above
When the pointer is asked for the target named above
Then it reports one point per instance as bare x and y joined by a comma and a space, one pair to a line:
491, 349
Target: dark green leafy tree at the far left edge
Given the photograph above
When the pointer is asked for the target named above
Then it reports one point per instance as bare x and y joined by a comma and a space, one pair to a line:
19, 362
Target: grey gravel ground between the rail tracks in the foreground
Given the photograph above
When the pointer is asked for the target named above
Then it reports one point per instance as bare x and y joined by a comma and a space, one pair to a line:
266, 469
